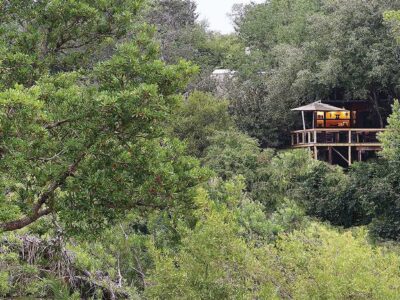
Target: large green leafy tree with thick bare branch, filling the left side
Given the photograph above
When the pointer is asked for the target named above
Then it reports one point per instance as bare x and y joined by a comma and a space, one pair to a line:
82, 135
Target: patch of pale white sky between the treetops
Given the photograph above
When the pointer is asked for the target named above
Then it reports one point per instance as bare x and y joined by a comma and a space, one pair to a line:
216, 12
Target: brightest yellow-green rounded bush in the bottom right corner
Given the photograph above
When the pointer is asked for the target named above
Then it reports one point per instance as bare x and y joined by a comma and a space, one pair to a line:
321, 263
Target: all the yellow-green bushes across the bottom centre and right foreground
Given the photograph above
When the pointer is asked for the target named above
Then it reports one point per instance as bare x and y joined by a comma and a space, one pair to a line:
214, 262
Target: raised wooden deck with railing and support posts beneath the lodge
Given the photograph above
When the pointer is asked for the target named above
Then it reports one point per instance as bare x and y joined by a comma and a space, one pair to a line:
337, 139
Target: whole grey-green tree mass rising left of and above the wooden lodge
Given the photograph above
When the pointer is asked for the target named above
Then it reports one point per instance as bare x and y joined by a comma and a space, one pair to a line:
312, 49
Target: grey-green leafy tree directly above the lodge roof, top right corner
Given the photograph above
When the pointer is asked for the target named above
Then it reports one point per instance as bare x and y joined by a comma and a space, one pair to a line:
359, 55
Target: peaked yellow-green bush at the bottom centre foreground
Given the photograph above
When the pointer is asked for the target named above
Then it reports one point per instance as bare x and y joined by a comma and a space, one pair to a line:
214, 262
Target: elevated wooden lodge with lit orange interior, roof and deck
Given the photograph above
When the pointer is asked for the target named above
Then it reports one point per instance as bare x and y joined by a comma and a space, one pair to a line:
337, 135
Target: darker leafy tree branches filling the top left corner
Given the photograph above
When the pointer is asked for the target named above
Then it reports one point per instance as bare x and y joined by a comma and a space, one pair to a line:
39, 37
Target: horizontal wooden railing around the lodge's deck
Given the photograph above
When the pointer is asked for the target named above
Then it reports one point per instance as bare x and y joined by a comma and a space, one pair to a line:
336, 136
